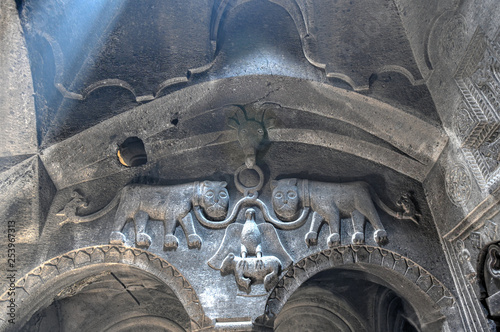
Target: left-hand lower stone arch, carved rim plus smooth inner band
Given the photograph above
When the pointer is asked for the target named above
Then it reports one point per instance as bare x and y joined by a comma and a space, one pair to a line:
39, 286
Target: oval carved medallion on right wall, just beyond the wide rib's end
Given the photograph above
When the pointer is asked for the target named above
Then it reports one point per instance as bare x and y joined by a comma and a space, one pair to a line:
458, 184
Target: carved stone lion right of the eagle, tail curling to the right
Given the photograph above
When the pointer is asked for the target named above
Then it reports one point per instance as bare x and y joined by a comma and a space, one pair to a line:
332, 201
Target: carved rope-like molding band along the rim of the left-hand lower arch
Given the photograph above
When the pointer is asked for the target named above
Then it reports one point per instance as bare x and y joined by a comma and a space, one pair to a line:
36, 279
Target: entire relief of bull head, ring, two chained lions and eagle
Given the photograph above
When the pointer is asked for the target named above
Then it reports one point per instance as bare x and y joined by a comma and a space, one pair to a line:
251, 249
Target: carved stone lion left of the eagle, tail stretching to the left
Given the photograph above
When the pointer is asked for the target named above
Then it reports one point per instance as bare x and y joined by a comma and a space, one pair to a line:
170, 204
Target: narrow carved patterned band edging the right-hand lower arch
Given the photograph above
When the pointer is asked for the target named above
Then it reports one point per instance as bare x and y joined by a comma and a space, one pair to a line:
356, 254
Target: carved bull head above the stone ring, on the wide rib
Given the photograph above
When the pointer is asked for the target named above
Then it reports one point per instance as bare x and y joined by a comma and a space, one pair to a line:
251, 122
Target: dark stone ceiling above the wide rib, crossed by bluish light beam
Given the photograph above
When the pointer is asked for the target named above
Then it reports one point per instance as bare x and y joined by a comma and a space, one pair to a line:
90, 63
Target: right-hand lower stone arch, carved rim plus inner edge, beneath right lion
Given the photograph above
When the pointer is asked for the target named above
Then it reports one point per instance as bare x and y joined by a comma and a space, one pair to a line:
411, 280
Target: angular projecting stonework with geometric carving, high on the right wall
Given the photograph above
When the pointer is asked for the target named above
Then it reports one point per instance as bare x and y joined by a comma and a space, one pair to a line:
478, 78
